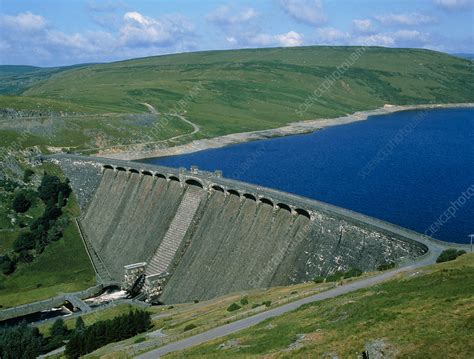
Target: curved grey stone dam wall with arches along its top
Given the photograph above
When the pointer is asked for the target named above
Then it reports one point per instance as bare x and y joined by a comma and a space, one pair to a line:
179, 235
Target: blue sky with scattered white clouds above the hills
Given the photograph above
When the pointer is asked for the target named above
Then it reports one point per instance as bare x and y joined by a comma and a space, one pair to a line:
53, 32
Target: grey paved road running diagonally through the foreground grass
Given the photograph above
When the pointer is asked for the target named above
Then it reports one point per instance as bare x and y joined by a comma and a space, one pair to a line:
253, 320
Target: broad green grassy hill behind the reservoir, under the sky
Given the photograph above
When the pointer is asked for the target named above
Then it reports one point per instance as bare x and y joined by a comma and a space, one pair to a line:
253, 89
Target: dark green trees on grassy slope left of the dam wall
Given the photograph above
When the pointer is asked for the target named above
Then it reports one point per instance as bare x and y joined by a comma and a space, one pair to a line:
43, 230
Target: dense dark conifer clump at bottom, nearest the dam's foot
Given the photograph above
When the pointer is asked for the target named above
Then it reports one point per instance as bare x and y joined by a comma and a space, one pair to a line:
87, 339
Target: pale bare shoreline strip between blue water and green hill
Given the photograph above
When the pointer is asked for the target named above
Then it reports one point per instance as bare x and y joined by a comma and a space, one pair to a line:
294, 128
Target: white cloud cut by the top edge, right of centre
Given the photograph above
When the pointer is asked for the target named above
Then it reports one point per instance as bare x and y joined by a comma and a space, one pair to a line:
309, 12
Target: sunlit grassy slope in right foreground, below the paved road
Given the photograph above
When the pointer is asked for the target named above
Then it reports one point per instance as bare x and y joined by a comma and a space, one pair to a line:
426, 314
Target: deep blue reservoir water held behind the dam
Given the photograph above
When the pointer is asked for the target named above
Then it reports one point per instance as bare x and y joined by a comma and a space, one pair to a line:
408, 168
